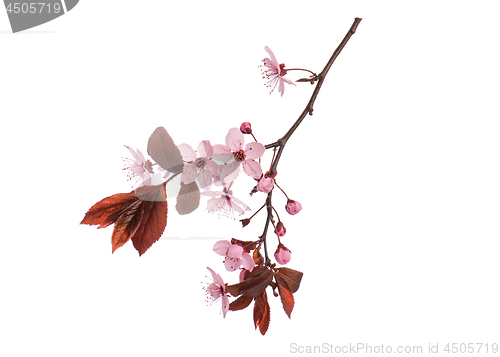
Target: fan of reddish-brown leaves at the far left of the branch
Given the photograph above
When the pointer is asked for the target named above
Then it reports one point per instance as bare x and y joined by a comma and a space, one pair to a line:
140, 215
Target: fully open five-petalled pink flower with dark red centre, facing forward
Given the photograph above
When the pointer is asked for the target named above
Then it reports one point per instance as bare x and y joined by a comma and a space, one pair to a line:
234, 155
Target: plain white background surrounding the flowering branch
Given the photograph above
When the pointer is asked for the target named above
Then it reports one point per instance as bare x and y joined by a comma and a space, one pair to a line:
397, 171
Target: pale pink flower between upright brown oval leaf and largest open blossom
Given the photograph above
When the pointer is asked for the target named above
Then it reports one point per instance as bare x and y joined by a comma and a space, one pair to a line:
197, 168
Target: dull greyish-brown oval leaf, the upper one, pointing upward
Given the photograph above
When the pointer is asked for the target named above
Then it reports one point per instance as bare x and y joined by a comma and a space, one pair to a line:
162, 149
